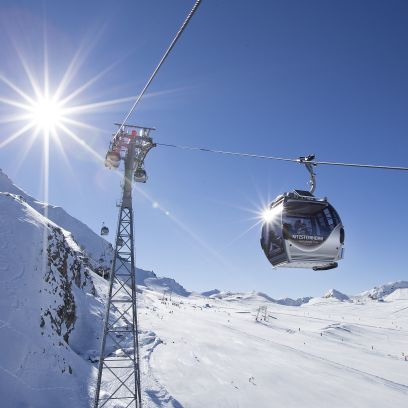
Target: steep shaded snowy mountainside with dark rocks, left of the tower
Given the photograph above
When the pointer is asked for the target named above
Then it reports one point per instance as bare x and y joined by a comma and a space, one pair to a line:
47, 304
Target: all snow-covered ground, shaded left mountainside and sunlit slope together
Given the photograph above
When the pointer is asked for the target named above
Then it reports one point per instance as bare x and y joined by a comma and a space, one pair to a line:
220, 349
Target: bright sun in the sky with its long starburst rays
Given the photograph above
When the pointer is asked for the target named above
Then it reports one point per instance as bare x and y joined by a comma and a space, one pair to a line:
51, 112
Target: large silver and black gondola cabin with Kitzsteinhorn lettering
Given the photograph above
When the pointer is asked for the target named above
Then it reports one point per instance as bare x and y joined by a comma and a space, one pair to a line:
302, 231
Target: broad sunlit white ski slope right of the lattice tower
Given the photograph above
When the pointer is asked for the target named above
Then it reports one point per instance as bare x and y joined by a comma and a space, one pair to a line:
327, 353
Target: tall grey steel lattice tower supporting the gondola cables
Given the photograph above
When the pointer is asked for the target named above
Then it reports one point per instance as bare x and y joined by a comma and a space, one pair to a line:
119, 356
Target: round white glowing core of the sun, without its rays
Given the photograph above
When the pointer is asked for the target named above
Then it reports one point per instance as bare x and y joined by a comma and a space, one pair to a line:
47, 114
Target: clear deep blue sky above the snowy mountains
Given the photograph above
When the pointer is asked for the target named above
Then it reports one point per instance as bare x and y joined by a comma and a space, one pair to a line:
283, 78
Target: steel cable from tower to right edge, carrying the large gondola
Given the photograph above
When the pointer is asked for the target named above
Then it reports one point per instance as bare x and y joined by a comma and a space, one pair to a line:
299, 160
